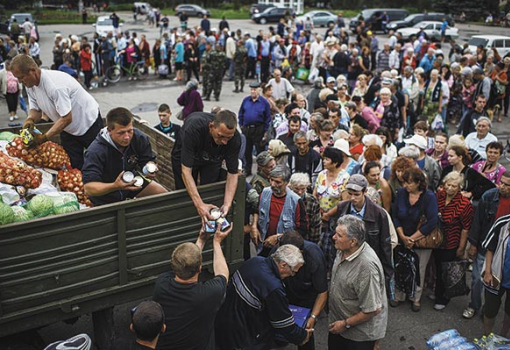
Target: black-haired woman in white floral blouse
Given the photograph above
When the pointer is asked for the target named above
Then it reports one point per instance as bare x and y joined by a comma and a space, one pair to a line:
329, 189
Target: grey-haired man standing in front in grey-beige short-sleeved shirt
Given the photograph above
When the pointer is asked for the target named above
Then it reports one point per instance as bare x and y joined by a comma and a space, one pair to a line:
358, 309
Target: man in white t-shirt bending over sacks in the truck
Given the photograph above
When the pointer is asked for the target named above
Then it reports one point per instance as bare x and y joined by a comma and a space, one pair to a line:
73, 110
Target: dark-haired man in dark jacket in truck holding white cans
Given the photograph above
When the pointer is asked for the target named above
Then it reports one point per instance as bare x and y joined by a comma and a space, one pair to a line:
118, 149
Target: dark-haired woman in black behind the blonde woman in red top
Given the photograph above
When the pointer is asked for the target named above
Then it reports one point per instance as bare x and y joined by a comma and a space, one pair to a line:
475, 184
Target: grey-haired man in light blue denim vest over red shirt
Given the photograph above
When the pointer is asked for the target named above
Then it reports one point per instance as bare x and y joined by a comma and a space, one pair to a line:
280, 210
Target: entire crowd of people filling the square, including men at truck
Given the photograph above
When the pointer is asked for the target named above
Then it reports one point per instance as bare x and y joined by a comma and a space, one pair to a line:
364, 164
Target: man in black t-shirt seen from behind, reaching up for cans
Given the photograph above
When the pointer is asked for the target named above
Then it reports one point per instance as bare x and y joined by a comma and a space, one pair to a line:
190, 306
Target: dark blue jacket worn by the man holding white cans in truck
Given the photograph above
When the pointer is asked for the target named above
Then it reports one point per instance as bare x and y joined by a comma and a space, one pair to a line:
104, 162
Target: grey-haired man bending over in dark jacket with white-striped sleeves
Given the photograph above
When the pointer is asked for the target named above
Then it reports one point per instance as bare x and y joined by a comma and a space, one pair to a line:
256, 306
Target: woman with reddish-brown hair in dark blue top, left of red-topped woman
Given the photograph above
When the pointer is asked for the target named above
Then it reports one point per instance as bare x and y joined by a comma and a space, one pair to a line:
415, 216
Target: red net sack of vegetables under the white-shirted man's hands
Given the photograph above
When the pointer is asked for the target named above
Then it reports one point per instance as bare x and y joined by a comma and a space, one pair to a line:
48, 154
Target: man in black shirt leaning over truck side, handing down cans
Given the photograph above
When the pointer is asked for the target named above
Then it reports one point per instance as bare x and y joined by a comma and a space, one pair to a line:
205, 141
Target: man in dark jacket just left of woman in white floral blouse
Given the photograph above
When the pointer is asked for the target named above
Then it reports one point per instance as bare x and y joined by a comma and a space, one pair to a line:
304, 159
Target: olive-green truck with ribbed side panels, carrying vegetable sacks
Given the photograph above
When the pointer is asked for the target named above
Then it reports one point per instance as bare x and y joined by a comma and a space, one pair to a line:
64, 266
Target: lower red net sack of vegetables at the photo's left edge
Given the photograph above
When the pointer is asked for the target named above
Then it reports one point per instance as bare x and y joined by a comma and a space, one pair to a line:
14, 172
